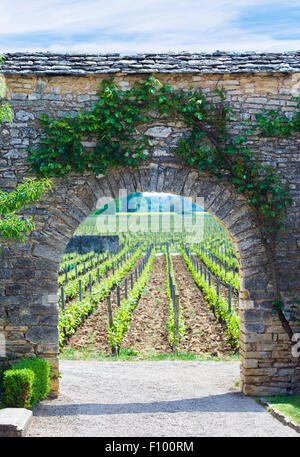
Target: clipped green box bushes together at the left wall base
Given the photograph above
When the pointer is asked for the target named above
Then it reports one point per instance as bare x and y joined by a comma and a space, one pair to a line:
26, 382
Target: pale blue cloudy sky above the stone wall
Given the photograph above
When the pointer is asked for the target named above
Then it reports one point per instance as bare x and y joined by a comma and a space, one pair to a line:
141, 26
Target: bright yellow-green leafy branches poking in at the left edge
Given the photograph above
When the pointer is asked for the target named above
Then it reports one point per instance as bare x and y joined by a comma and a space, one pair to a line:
13, 225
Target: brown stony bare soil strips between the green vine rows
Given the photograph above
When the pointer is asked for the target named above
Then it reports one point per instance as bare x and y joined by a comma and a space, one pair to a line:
148, 334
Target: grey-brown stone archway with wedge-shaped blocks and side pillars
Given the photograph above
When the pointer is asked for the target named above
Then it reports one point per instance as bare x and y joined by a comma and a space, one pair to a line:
30, 310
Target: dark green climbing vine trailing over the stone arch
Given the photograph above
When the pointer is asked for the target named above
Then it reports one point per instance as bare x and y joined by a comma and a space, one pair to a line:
118, 121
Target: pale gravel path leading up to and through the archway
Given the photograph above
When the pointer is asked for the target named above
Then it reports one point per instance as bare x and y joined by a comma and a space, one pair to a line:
166, 398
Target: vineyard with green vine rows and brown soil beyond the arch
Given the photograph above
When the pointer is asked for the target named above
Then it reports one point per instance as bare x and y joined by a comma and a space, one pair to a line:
157, 294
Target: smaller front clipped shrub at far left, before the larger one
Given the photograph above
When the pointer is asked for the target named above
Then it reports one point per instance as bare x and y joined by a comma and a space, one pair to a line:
18, 385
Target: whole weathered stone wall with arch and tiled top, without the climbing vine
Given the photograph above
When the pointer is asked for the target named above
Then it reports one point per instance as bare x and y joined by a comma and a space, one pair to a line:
60, 84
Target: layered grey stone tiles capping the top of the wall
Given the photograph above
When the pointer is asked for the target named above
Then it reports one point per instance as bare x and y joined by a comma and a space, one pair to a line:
178, 62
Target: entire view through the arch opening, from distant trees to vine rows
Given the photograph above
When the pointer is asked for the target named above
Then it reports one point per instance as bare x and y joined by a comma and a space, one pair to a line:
193, 256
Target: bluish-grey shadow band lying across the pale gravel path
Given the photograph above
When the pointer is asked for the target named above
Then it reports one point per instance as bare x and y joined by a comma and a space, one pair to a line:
229, 402
